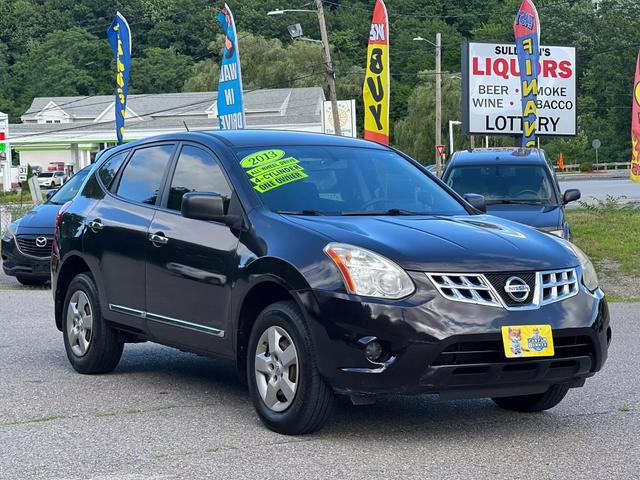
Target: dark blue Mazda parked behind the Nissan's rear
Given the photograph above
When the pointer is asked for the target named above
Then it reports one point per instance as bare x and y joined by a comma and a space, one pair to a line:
26, 245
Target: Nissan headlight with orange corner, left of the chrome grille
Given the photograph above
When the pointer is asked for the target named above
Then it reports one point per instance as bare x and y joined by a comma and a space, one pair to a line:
368, 274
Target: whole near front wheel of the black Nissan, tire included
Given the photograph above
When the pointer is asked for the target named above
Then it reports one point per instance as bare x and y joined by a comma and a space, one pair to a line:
311, 404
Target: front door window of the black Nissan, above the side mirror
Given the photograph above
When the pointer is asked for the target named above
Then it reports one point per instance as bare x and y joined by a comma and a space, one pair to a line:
196, 171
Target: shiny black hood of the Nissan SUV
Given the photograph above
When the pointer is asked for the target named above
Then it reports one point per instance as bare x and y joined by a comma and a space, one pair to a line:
472, 244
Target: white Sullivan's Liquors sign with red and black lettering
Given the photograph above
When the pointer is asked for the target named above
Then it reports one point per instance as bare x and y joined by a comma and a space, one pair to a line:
492, 97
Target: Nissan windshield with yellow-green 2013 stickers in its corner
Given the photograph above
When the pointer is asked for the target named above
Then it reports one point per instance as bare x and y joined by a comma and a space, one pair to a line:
319, 180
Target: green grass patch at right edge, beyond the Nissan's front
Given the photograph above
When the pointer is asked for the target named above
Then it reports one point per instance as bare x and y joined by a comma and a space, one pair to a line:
609, 234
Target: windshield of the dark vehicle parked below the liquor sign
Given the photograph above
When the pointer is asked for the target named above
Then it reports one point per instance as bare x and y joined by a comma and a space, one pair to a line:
526, 184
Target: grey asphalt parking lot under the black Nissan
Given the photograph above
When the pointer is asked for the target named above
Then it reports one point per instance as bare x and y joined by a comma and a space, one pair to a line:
168, 414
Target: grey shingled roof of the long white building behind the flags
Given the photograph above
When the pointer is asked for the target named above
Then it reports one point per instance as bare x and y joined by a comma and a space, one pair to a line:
290, 108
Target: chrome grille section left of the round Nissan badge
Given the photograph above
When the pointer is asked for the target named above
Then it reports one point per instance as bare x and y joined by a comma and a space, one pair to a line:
465, 288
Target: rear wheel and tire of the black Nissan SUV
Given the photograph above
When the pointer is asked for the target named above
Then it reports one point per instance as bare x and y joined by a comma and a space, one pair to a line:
101, 349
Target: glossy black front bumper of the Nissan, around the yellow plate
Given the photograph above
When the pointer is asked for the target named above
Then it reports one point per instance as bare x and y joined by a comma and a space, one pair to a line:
434, 345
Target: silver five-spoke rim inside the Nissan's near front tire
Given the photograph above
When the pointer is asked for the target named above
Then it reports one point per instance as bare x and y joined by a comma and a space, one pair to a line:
276, 368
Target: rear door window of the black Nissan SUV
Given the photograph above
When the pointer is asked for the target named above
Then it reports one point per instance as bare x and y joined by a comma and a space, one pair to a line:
140, 180
